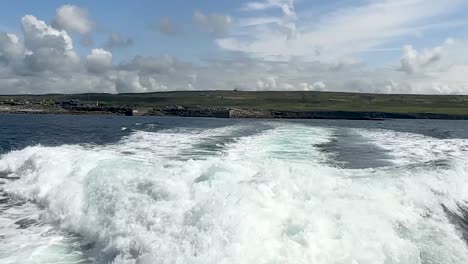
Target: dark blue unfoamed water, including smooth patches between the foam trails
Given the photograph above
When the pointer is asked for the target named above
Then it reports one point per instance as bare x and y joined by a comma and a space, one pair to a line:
20, 131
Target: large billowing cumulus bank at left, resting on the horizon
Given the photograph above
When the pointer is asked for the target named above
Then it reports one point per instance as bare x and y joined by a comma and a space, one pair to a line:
49, 64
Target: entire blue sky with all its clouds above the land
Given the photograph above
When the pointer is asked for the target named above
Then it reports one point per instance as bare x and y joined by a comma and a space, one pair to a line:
378, 46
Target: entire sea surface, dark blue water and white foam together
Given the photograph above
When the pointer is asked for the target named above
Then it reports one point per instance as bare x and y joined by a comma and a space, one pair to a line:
95, 189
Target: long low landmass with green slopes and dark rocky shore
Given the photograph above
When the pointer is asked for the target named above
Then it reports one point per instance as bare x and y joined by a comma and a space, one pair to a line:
244, 104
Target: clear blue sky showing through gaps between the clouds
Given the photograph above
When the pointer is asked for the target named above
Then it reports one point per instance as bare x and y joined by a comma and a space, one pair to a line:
130, 18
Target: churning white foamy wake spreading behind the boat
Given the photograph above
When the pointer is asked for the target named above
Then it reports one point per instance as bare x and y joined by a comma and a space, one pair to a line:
269, 197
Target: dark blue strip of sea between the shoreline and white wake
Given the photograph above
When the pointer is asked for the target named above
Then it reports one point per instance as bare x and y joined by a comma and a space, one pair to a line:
19, 131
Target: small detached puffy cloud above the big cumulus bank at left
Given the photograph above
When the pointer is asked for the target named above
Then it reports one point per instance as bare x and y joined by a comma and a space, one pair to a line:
73, 19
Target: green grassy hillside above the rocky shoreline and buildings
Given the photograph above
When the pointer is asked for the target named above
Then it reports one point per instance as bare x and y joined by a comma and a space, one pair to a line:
280, 101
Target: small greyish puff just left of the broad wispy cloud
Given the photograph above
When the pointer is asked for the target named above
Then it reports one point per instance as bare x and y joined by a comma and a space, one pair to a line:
216, 24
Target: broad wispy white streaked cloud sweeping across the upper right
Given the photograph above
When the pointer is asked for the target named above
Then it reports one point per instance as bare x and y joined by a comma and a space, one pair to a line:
341, 33
